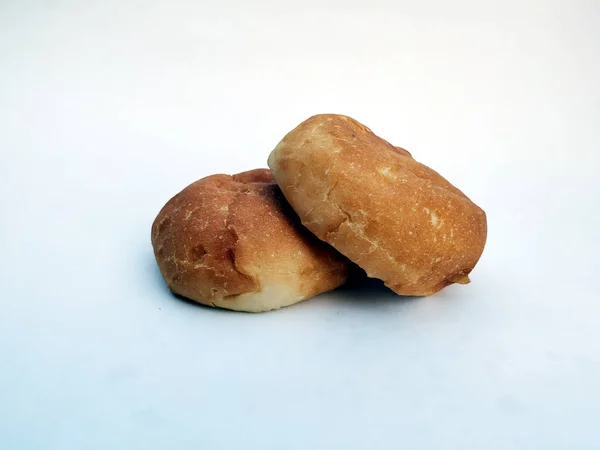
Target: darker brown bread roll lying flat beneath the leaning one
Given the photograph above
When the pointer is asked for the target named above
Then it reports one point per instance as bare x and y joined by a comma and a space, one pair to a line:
234, 242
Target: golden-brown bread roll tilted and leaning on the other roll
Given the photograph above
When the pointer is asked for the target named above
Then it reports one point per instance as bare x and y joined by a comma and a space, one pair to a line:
396, 218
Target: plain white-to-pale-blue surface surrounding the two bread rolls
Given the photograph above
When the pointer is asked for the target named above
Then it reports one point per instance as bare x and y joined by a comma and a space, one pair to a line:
109, 108
